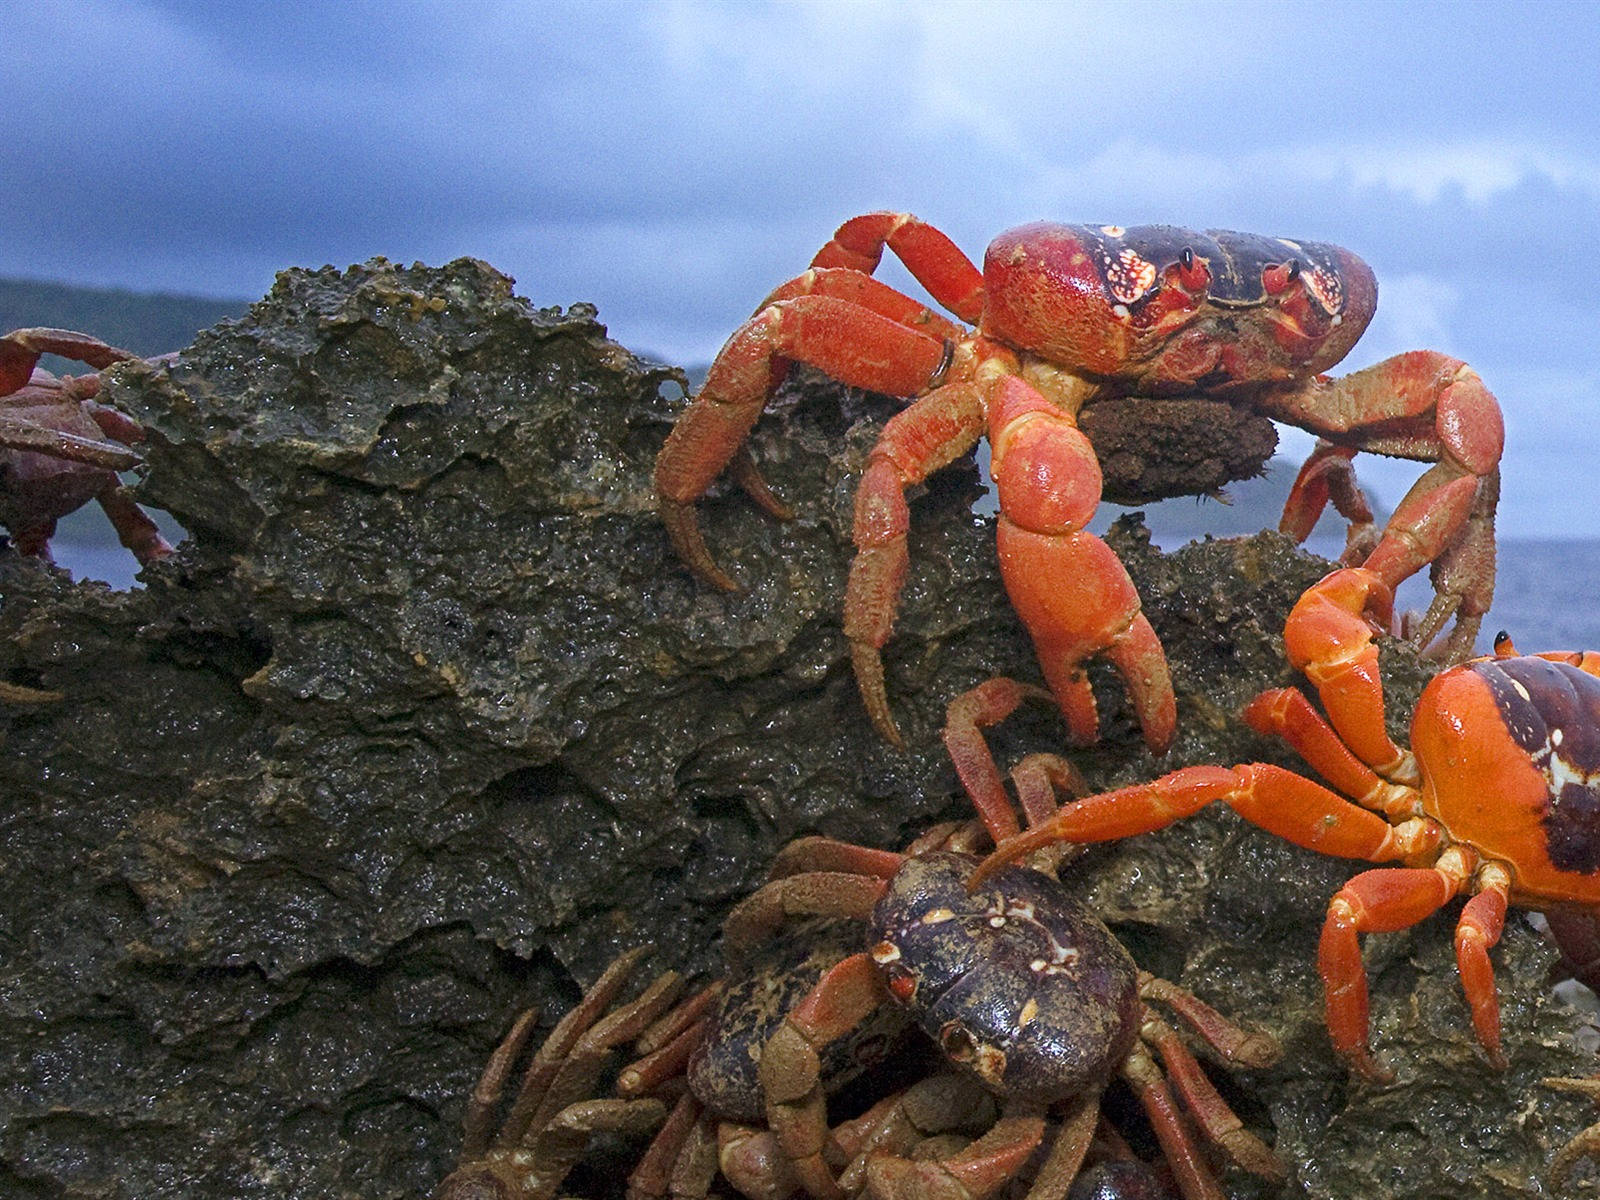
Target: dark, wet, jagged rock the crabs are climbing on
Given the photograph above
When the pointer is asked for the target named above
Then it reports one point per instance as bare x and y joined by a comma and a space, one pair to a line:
426, 722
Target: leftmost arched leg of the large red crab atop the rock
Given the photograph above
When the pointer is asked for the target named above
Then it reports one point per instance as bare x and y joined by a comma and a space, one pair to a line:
850, 343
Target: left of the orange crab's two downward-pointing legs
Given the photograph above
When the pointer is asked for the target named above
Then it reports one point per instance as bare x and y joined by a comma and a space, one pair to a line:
1375, 902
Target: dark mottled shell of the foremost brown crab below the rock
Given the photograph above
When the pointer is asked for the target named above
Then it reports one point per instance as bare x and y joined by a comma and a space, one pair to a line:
1018, 982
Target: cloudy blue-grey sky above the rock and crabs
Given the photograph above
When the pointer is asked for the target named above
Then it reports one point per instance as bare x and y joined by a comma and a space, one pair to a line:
674, 161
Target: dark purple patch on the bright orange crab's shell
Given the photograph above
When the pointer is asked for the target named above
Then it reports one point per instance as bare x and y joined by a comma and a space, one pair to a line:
1553, 713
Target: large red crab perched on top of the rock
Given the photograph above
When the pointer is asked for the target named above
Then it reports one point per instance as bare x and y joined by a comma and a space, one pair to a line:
1063, 318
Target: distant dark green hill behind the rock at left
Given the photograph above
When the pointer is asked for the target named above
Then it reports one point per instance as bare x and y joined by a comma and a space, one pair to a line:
143, 322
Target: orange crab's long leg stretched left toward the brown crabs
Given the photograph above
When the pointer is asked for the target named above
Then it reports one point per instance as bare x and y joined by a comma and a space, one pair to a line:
1271, 798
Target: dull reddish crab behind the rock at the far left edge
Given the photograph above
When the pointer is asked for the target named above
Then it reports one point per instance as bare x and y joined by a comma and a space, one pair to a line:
60, 450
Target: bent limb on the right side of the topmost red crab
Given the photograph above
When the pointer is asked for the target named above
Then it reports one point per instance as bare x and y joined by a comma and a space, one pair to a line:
1436, 409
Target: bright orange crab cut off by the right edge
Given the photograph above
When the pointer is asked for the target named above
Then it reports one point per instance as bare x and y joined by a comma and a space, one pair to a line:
1498, 796
